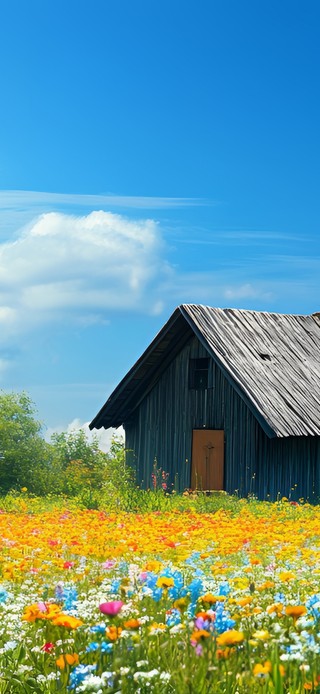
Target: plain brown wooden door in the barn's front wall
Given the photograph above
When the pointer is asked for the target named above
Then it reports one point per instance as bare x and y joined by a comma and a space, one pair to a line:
207, 464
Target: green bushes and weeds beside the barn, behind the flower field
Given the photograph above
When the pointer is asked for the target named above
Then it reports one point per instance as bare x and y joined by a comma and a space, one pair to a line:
72, 467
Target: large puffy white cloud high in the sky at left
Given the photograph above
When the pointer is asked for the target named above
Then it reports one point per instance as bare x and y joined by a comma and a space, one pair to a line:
63, 265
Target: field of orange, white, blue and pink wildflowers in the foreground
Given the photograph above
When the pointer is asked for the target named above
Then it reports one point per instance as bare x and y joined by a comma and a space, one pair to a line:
174, 601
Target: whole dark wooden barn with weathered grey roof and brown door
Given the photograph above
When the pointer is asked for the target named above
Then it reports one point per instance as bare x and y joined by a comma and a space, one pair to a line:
226, 399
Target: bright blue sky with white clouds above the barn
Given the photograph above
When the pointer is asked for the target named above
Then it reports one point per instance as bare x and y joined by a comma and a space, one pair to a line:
151, 154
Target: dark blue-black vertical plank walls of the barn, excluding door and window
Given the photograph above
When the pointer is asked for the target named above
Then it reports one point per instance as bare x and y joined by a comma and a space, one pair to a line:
161, 427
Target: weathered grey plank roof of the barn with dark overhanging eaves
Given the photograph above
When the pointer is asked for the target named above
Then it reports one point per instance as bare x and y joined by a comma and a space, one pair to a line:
271, 359
